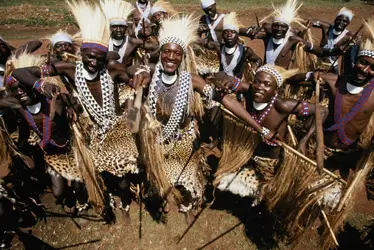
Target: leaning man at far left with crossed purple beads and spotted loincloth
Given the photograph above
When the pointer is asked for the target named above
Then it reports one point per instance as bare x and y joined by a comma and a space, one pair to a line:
35, 113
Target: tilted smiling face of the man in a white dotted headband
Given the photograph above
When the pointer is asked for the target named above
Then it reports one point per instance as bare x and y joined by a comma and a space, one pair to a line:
264, 87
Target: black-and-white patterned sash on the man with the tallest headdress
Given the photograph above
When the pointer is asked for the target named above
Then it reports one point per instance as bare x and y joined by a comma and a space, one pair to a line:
104, 117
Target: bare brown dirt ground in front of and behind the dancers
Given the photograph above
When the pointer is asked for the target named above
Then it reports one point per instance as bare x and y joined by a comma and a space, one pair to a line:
229, 224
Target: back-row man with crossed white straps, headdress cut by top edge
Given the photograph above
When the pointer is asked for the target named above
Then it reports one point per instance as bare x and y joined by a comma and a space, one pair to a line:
212, 22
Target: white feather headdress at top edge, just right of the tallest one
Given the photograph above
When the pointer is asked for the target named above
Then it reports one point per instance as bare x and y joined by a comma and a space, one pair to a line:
117, 11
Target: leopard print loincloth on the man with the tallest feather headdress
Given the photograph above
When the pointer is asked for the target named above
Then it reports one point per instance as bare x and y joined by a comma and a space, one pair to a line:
117, 154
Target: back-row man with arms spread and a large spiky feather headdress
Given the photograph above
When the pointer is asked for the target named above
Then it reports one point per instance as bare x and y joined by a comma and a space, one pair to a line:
280, 42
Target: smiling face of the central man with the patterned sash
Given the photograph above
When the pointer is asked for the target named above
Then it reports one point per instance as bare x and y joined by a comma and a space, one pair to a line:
171, 57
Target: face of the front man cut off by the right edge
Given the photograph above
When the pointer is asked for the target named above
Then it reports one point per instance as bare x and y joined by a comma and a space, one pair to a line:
364, 69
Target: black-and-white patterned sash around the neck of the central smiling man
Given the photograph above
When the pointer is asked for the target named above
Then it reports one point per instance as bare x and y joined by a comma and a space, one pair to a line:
181, 104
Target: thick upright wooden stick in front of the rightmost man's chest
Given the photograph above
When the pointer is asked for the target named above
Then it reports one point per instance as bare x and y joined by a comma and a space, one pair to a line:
320, 153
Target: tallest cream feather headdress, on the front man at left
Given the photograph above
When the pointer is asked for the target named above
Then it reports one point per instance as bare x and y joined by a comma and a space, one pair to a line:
93, 24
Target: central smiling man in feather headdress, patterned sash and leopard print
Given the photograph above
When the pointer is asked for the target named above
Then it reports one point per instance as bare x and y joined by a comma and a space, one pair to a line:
174, 165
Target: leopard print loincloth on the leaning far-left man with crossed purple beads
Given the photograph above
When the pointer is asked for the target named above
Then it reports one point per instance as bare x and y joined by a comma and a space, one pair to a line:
64, 165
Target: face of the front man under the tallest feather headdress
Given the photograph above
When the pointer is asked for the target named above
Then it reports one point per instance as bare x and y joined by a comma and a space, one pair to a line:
93, 60
